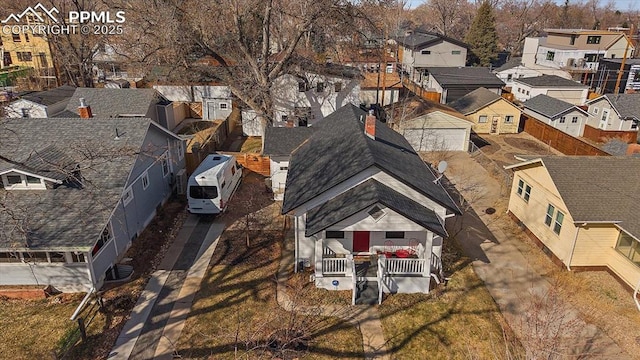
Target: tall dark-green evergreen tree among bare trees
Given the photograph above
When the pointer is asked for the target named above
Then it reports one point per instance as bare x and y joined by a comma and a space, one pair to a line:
482, 36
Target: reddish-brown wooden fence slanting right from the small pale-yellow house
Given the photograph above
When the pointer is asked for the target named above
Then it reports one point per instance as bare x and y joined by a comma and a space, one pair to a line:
558, 139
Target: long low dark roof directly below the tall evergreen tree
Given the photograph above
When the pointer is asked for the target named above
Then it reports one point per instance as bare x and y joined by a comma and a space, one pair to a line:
465, 77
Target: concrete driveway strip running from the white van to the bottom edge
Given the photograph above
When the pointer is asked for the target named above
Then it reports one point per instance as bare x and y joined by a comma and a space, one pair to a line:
158, 317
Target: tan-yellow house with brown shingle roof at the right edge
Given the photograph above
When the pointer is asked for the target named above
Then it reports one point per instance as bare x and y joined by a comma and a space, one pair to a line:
583, 211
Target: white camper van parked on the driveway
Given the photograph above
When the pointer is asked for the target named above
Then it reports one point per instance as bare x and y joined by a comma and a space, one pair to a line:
213, 183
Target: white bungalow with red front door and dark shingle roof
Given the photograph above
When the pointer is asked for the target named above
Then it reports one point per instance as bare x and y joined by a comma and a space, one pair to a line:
368, 212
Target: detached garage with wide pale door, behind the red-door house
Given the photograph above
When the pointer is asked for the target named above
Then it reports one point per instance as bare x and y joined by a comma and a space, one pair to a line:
437, 131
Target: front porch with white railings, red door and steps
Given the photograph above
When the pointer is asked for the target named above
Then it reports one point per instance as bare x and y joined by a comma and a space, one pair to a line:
371, 263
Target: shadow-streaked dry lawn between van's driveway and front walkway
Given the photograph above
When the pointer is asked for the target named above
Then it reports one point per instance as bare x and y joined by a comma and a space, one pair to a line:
237, 302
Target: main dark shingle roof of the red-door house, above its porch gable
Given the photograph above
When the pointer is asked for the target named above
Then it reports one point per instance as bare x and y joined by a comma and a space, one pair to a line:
339, 149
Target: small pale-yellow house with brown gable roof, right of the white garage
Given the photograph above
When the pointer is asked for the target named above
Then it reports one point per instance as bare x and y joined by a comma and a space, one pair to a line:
489, 112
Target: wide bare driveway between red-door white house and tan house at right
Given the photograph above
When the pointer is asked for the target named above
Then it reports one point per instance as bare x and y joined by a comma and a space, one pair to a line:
544, 325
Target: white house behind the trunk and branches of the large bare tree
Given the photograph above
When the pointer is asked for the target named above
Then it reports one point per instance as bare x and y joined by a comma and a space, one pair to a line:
304, 97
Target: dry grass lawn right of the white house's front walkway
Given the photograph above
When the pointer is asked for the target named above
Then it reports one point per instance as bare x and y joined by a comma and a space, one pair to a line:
457, 321
